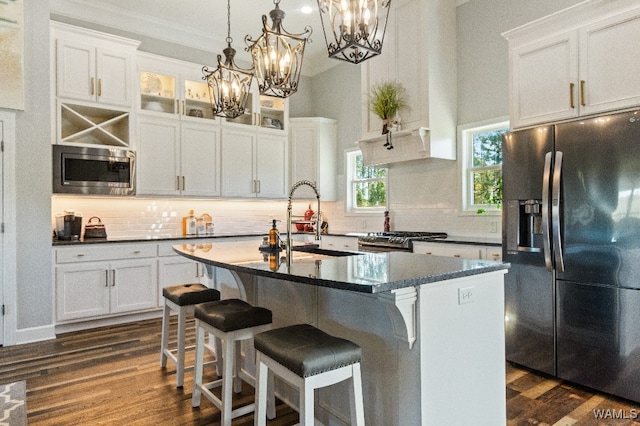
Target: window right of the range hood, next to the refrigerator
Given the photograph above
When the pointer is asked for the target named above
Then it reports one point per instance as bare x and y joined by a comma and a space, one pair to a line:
482, 165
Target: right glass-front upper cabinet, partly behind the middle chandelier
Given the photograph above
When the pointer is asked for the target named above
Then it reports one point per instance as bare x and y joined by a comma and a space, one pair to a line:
263, 111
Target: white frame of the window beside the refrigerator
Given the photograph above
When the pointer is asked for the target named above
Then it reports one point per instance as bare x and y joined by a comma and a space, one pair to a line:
465, 138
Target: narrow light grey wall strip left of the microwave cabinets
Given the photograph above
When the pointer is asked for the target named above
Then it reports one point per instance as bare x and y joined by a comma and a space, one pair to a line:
33, 182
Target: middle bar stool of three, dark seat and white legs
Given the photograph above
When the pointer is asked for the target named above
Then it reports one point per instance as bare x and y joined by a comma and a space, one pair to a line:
231, 320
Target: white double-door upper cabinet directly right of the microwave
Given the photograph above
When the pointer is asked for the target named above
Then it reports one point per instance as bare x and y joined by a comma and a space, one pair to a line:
178, 158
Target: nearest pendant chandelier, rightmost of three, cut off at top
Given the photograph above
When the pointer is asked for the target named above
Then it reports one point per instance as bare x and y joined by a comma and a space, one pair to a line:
354, 29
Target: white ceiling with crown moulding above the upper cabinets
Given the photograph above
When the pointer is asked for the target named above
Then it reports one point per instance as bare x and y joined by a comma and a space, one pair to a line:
202, 24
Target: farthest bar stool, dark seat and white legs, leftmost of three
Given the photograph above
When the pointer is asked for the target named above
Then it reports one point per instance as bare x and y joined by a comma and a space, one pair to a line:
181, 299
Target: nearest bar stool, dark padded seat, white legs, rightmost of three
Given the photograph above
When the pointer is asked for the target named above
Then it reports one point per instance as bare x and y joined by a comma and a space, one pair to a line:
309, 359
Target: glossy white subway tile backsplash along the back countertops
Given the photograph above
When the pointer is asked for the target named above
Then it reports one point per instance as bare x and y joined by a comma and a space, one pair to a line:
162, 217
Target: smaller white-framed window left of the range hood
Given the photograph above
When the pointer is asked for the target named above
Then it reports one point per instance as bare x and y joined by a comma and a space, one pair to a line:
367, 186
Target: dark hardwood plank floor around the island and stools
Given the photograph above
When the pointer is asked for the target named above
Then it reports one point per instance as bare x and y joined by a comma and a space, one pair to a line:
111, 376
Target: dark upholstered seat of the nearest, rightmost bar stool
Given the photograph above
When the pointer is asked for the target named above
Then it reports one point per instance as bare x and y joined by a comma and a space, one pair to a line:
307, 351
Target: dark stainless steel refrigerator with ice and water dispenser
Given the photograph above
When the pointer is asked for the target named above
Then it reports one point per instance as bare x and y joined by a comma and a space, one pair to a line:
571, 231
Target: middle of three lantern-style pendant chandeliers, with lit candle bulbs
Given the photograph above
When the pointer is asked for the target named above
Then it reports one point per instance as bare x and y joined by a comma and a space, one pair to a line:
277, 56
